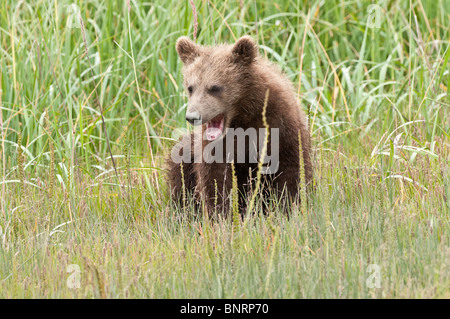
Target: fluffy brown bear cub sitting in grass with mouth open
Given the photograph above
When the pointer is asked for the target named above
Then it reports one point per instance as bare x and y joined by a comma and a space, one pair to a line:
229, 87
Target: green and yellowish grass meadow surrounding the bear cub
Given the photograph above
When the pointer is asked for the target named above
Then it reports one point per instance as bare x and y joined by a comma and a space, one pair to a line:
378, 106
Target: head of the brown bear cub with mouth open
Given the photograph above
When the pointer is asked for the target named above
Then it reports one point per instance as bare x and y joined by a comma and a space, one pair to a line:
216, 78
